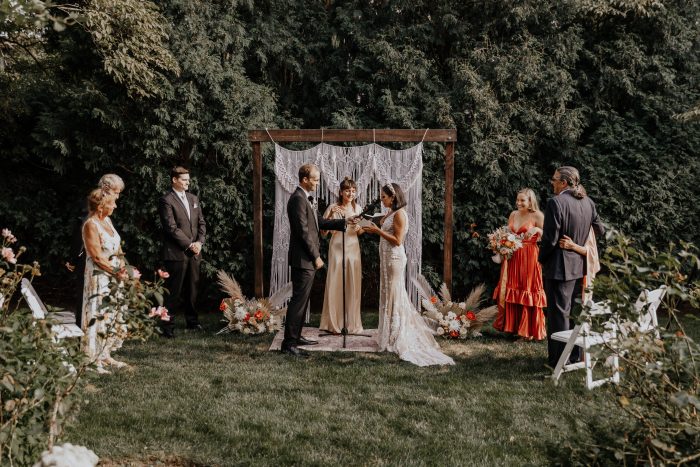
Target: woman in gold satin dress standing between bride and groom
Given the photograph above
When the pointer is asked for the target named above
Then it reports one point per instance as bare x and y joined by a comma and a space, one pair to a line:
332, 315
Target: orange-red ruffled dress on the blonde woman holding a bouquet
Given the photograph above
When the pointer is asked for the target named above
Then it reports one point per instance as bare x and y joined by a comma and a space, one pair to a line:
520, 291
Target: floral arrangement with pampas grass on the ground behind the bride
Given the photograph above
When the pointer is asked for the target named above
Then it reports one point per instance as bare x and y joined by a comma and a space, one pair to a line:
451, 319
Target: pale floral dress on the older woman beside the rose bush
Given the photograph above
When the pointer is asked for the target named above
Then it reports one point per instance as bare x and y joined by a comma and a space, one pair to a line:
97, 347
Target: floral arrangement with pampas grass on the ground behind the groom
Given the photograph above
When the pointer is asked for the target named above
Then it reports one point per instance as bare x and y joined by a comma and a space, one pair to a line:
251, 316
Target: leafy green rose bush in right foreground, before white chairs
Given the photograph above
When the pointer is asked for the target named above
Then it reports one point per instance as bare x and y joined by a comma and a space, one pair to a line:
660, 378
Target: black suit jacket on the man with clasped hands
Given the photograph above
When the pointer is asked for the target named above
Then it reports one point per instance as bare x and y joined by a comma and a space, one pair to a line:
179, 231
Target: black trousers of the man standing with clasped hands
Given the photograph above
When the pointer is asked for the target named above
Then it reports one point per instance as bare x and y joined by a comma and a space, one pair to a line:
182, 287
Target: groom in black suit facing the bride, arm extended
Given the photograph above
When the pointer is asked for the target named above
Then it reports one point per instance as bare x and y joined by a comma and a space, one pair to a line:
304, 257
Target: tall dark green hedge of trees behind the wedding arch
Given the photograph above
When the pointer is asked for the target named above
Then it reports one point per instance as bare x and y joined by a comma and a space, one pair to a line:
528, 86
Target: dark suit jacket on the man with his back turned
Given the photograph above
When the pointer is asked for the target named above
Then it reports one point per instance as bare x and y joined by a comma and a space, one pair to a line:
566, 215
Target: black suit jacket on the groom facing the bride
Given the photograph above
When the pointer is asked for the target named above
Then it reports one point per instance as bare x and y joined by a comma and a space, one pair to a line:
304, 224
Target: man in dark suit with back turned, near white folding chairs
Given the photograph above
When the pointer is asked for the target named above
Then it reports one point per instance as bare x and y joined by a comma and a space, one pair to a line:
570, 213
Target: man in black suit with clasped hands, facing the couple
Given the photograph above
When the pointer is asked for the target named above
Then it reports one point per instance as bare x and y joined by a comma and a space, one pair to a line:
183, 236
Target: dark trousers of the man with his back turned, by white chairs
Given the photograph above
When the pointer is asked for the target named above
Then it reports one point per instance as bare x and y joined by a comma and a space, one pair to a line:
561, 296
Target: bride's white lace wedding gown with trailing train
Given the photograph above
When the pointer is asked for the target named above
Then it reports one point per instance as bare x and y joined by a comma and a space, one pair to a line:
401, 328
